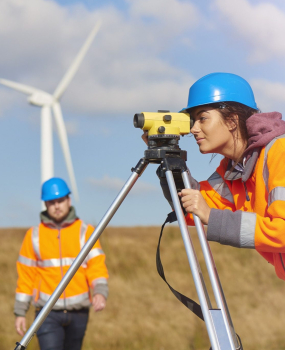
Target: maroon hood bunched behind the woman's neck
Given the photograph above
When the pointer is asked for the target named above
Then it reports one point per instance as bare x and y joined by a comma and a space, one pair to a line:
262, 128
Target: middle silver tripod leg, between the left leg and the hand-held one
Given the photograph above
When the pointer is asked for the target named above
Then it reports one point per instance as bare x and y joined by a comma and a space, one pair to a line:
194, 265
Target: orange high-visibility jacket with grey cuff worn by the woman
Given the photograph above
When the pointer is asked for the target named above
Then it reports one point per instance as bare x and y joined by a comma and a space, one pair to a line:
250, 214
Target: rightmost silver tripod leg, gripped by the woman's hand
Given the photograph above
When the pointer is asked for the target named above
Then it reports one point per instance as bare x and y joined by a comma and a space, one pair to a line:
213, 274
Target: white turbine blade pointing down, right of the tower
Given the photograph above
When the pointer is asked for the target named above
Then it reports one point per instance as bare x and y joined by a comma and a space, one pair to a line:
65, 147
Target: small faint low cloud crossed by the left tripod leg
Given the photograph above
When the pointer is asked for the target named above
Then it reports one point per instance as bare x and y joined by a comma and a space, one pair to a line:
116, 184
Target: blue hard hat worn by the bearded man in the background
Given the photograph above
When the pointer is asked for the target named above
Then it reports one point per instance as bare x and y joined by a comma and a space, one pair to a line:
54, 188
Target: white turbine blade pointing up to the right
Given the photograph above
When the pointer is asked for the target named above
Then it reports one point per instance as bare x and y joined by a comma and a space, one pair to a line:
76, 63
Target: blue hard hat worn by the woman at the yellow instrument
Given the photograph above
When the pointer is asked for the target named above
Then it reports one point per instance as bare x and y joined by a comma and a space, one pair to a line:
220, 87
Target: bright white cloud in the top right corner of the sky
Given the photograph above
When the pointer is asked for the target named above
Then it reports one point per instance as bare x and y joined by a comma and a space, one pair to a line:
261, 26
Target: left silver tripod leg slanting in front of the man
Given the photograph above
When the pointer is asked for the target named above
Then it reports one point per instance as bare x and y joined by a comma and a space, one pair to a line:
137, 171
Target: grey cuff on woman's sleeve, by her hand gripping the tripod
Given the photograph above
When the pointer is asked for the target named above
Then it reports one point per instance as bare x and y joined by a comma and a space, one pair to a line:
224, 227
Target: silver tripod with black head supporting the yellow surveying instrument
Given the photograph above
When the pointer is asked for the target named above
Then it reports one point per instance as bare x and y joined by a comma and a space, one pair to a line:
164, 151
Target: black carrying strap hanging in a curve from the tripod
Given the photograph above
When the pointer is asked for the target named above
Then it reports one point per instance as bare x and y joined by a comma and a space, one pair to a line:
189, 303
